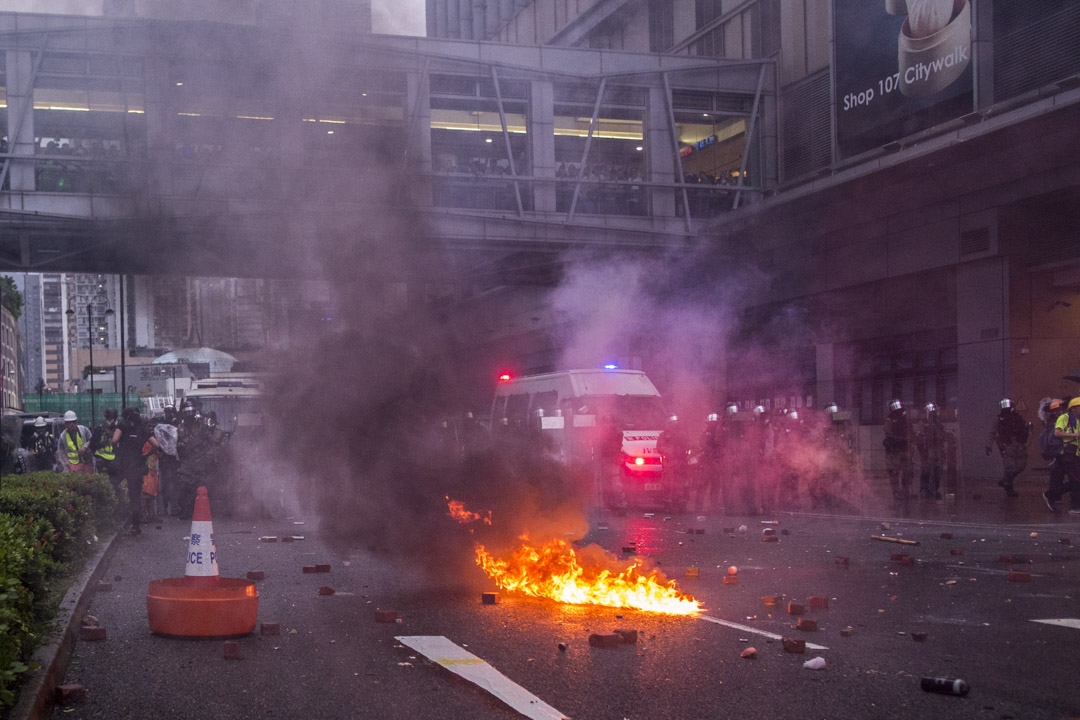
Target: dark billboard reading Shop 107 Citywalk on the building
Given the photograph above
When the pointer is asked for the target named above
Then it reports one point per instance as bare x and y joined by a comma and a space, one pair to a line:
901, 66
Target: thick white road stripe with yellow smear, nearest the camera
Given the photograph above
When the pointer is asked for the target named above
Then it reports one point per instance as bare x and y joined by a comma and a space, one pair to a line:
472, 669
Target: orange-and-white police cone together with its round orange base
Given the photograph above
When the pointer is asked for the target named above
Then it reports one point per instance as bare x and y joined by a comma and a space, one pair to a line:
201, 604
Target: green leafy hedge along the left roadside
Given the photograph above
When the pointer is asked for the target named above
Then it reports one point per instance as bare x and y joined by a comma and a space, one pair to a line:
49, 523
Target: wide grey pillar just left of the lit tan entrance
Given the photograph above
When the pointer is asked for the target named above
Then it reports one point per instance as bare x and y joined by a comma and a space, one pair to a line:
982, 327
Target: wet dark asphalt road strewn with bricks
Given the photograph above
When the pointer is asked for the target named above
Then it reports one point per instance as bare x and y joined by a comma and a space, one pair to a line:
334, 661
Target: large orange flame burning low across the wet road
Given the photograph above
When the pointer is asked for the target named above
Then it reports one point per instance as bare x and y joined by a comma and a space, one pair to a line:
553, 570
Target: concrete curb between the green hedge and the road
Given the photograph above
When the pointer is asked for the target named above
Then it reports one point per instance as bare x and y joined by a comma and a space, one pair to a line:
36, 694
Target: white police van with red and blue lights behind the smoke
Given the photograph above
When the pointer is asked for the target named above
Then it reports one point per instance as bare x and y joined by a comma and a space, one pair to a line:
571, 405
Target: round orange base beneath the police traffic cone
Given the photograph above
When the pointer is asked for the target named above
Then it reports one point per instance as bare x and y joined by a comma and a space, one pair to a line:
228, 608
